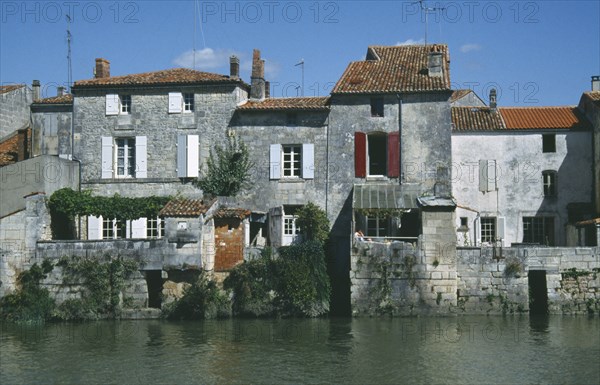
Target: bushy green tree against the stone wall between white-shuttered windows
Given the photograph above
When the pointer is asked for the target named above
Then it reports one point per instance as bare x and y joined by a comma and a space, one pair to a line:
228, 169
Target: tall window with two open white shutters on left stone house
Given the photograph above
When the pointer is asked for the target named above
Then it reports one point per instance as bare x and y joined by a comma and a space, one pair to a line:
124, 157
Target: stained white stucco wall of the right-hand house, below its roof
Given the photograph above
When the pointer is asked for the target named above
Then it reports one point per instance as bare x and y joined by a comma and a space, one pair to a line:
519, 188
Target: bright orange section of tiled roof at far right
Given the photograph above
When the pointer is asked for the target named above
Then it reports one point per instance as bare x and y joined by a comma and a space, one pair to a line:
522, 118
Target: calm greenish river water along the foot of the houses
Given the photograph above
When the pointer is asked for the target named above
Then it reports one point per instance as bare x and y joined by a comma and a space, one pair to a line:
462, 350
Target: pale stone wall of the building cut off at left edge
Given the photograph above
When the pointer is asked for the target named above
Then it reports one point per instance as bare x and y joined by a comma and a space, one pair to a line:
14, 110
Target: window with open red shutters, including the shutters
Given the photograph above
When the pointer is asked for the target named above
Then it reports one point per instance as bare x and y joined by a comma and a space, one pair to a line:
377, 154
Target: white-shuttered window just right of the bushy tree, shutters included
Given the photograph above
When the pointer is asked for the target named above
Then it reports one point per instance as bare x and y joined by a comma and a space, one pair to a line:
291, 161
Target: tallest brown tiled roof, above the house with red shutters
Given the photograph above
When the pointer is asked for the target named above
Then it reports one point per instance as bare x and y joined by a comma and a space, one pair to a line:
395, 69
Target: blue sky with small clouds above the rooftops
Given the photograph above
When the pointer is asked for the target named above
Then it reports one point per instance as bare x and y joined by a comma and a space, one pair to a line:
535, 53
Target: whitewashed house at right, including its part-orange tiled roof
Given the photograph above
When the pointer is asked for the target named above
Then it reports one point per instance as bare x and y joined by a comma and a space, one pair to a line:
521, 174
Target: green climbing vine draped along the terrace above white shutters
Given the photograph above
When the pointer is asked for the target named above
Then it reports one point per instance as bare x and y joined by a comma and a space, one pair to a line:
65, 204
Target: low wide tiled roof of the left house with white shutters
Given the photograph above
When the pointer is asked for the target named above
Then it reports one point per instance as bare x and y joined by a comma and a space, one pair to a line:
171, 76
